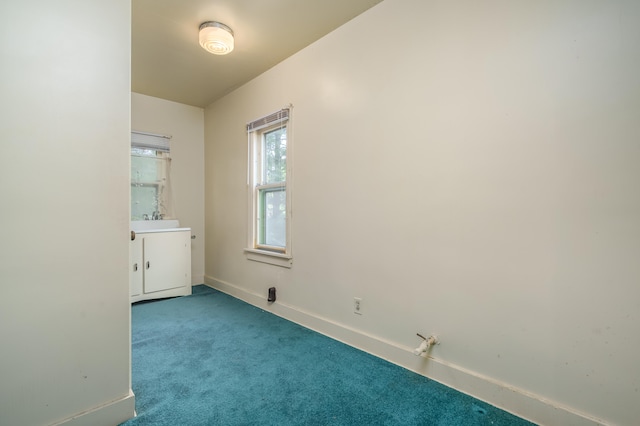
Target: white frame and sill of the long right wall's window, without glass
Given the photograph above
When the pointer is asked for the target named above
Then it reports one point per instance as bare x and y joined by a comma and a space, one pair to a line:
279, 256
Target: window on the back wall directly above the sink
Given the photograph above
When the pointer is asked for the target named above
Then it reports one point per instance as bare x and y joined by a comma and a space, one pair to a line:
150, 171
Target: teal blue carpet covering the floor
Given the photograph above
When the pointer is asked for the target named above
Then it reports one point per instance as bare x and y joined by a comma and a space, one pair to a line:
210, 359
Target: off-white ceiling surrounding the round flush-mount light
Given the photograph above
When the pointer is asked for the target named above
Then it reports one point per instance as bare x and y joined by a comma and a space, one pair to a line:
167, 62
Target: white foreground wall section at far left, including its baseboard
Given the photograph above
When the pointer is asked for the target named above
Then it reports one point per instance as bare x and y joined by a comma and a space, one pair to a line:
64, 178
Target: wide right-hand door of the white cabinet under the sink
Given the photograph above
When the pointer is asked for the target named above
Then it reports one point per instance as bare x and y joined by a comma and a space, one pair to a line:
167, 260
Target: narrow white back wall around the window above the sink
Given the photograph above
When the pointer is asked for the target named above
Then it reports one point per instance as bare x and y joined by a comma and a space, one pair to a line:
185, 124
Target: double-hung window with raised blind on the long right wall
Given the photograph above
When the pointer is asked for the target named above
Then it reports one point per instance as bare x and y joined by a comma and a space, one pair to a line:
270, 189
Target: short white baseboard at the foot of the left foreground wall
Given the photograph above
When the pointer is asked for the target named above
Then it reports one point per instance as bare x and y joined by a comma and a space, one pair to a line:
110, 414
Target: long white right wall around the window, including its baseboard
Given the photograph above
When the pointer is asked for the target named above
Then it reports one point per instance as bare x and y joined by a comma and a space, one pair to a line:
467, 169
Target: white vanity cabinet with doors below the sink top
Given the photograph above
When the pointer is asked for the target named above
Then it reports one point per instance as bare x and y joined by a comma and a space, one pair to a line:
160, 264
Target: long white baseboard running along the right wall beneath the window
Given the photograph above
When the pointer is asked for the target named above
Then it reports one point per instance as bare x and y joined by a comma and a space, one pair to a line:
534, 408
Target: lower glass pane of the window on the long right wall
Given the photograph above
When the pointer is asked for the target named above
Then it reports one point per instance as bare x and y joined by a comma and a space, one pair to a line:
273, 213
